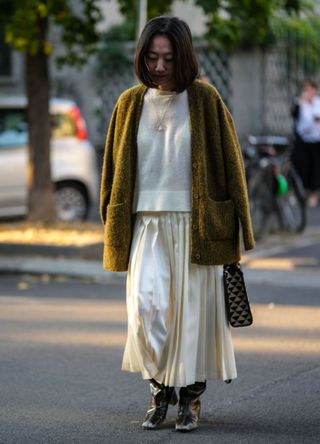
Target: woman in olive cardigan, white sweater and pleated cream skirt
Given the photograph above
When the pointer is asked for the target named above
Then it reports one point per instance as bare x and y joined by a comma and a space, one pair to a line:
172, 196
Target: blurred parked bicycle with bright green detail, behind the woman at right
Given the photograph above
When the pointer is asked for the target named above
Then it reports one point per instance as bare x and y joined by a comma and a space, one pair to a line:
275, 189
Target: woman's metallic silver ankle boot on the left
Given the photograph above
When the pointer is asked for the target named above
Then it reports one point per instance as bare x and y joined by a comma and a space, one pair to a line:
161, 397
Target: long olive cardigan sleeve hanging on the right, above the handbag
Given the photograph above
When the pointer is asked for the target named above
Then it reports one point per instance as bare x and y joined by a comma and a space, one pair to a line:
235, 173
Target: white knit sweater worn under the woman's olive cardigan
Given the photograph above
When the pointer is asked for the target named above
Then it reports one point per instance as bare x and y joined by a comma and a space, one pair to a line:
163, 181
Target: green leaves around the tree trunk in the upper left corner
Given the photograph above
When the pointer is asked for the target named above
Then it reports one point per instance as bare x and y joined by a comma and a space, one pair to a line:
77, 24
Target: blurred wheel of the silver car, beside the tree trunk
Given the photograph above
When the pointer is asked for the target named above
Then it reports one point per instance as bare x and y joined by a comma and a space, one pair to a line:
71, 202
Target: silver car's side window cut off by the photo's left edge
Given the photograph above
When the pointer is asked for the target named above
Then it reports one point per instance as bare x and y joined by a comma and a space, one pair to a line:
13, 128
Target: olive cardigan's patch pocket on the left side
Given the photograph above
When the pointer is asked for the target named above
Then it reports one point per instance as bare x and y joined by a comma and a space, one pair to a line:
116, 226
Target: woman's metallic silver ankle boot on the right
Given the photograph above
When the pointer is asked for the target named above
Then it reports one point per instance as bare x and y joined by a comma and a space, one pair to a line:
189, 407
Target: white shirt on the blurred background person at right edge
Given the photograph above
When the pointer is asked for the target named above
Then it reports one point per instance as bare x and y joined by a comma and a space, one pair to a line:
307, 127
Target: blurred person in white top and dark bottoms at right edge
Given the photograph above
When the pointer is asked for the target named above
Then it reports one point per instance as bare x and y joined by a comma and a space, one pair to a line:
306, 152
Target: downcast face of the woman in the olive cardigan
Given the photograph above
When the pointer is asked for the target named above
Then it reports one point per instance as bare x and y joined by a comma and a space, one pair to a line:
160, 63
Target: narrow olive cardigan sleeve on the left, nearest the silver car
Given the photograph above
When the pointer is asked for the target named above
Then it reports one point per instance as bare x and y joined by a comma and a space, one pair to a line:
107, 167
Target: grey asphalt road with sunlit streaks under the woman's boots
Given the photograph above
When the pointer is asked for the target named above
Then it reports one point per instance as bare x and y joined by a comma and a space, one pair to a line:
61, 345
